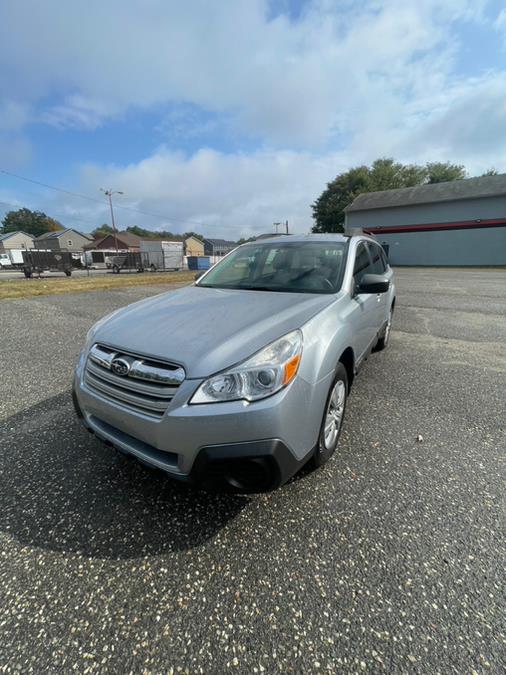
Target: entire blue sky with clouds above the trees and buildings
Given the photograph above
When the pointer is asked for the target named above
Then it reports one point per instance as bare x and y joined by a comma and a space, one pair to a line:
224, 117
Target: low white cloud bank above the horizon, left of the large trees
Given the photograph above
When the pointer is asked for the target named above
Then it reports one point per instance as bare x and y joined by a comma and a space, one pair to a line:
230, 195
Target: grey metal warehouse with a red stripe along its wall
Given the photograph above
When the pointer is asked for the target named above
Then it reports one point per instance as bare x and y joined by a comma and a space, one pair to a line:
460, 222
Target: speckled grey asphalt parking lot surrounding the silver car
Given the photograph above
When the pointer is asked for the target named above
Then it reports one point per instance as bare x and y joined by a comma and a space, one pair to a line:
390, 559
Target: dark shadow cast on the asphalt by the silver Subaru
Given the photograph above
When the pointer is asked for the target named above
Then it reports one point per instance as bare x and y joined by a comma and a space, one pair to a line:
61, 489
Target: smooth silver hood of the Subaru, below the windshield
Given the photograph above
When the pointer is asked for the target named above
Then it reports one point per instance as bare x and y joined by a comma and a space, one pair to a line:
208, 329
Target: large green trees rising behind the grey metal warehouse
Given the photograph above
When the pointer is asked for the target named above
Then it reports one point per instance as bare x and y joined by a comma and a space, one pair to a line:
383, 174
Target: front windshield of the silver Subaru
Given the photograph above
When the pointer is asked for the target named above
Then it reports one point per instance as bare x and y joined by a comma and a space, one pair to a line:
292, 267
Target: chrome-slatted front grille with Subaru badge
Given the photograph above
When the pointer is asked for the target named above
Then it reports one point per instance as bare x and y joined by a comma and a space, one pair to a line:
139, 384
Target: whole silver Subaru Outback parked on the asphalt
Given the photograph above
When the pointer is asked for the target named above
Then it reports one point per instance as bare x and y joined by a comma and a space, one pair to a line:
236, 382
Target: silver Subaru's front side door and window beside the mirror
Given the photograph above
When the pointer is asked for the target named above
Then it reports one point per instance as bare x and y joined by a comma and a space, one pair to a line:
365, 314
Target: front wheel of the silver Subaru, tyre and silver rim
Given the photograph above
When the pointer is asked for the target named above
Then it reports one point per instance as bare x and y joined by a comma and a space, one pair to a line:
333, 416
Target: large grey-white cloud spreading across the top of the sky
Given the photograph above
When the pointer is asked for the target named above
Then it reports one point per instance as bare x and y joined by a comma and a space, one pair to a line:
291, 83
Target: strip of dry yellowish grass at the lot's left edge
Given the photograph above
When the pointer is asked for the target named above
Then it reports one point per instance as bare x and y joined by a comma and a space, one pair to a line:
26, 288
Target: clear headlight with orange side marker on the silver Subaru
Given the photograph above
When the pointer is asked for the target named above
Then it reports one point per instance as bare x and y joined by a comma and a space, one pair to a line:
265, 373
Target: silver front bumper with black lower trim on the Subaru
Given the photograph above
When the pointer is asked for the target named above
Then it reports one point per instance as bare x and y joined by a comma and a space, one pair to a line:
229, 446
